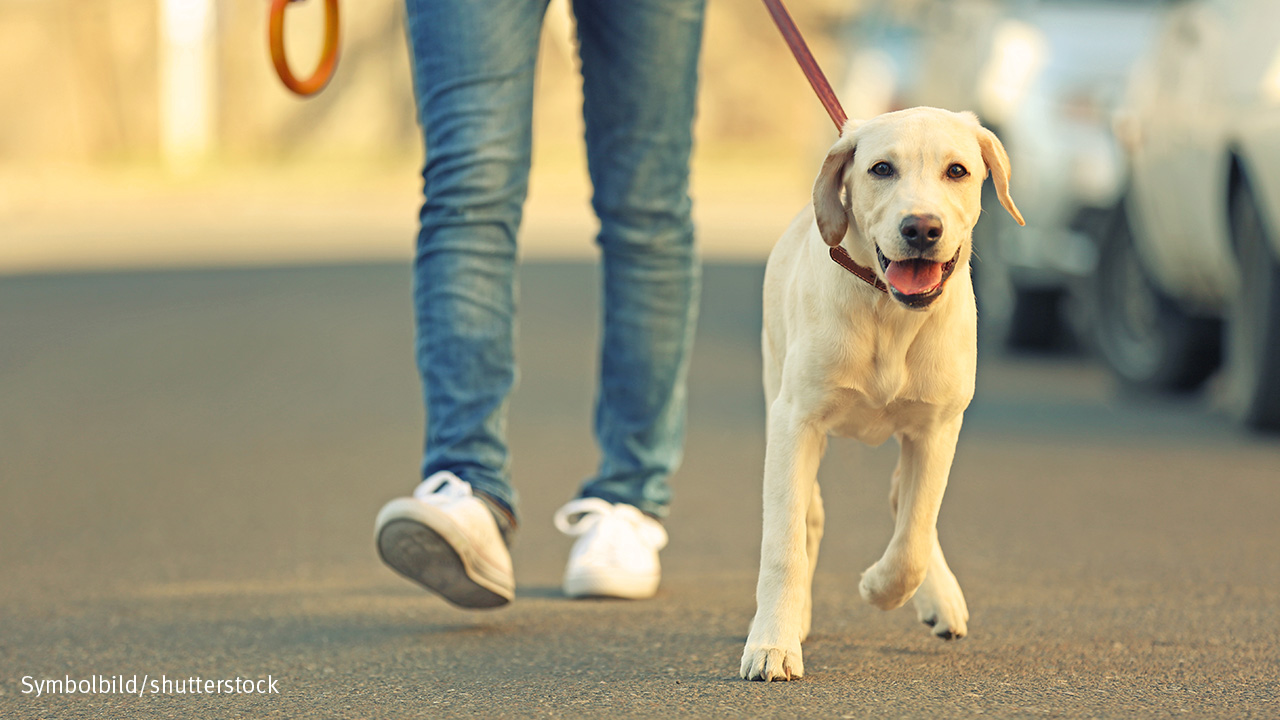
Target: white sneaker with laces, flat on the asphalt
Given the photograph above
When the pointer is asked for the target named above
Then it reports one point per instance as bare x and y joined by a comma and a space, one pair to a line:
616, 554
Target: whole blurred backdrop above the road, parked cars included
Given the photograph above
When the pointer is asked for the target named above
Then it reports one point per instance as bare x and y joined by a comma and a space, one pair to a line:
1144, 135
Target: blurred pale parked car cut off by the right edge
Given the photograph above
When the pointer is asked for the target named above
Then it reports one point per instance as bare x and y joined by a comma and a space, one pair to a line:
1194, 248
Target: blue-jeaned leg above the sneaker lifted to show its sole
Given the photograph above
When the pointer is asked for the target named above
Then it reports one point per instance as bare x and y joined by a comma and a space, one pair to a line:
474, 83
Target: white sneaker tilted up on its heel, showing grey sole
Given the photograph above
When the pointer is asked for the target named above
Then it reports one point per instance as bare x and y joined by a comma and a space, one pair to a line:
446, 540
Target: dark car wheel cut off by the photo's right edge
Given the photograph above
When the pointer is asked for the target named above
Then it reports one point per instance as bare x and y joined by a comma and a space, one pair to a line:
1254, 317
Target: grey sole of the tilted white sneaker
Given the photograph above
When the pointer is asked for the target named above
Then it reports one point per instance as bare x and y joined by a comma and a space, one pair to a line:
420, 553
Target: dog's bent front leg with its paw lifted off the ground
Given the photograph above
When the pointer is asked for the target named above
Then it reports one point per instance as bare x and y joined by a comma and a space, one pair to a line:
922, 480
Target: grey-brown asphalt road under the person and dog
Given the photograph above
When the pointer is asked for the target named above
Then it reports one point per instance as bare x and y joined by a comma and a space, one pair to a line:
191, 463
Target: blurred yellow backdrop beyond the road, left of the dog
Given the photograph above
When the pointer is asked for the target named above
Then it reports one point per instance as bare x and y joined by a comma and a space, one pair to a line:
130, 120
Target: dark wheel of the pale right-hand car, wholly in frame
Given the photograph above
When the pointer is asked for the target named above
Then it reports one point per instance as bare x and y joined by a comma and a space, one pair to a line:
1145, 338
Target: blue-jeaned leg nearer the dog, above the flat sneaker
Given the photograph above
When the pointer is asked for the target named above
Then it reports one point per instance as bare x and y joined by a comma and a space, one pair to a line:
641, 76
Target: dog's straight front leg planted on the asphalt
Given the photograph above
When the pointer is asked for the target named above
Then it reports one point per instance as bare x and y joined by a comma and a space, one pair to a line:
792, 458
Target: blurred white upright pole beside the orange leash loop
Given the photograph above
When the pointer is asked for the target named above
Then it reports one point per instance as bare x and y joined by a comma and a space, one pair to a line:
188, 83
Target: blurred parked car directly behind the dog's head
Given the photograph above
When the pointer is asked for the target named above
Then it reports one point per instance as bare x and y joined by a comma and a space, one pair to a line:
1048, 78
